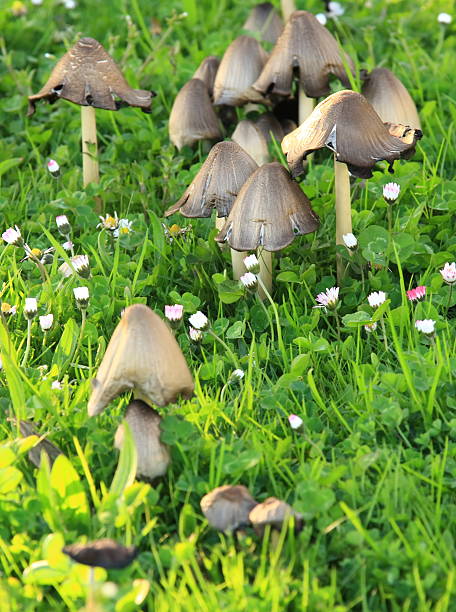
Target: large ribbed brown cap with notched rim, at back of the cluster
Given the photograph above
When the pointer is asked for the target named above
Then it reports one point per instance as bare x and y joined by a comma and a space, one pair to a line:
307, 45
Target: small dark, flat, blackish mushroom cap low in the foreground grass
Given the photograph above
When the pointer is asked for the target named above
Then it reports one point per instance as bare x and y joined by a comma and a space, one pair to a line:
102, 553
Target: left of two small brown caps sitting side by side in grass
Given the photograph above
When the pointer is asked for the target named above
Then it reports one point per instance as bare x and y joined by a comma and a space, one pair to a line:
227, 508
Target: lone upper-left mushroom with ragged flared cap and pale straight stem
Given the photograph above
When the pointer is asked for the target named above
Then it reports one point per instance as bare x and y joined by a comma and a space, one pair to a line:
87, 75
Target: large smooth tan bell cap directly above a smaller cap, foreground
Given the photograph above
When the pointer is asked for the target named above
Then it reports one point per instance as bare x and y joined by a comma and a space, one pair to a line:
142, 355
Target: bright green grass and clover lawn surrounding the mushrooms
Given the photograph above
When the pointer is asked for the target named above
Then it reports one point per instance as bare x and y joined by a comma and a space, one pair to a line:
373, 467
